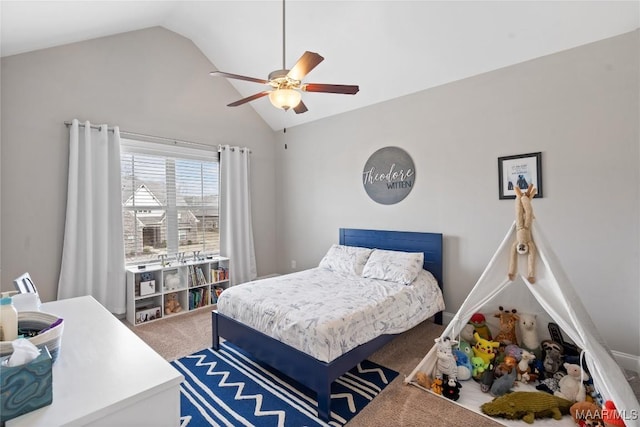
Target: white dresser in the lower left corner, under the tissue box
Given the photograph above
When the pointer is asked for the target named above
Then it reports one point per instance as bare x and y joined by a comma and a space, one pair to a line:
105, 375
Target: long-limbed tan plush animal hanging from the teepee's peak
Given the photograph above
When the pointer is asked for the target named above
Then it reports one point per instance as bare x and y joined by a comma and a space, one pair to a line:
524, 244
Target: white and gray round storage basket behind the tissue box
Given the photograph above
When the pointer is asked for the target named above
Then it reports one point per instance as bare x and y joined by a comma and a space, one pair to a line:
37, 321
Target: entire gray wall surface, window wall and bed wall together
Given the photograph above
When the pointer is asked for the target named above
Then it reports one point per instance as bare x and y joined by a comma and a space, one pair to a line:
579, 107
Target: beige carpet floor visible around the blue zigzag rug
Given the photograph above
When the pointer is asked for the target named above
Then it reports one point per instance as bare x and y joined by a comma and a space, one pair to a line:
397, 405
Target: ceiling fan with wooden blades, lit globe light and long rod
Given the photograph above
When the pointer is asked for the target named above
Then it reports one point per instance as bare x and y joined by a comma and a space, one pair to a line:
286, 84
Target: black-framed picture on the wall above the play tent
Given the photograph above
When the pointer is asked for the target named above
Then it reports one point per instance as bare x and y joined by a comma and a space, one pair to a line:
519, 170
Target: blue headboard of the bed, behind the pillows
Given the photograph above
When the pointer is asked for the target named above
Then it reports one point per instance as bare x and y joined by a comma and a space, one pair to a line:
428, 243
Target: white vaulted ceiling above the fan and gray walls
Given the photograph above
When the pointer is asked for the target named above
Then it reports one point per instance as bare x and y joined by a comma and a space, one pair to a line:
389, 48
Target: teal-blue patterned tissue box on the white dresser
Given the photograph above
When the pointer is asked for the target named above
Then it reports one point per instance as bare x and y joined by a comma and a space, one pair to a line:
27, 387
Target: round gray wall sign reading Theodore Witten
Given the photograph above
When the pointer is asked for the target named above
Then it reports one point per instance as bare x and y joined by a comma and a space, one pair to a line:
389, 175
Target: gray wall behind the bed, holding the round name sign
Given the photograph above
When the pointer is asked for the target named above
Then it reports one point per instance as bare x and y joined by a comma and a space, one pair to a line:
578, 107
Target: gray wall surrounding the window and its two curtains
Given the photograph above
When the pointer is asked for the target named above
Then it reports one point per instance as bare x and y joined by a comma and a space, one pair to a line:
151, 81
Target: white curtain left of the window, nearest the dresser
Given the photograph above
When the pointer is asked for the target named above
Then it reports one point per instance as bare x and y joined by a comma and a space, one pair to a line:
93, 252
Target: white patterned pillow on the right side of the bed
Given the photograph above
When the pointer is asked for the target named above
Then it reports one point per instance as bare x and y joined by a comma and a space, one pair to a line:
393, 266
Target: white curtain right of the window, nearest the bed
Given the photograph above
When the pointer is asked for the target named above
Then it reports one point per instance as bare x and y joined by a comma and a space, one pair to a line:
236, 232
